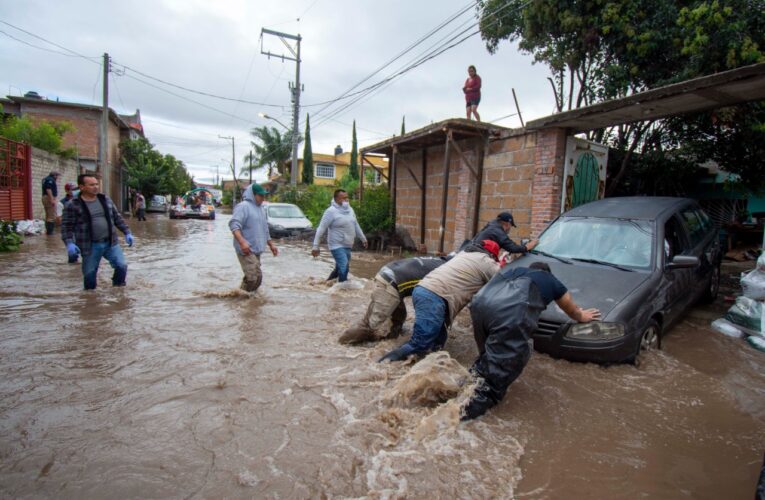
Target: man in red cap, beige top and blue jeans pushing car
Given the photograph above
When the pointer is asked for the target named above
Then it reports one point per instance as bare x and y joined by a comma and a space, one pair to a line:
443, 293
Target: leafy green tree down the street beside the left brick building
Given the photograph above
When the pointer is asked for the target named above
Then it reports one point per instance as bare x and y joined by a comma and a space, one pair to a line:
152, 173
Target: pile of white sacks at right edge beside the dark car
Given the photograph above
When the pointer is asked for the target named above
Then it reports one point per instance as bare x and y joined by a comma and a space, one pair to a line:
747, 316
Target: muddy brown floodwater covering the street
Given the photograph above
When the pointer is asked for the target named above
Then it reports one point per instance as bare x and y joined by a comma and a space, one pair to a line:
179, 386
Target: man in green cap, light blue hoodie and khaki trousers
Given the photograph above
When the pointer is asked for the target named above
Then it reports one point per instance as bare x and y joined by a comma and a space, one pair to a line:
249, 225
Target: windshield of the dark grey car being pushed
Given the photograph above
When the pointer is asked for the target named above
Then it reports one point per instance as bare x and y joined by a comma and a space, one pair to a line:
618, 242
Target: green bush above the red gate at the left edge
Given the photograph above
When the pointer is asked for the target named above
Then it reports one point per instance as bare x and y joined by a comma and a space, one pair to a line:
45, 135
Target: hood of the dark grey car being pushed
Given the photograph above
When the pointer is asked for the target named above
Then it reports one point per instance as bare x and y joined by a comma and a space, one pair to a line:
590, 285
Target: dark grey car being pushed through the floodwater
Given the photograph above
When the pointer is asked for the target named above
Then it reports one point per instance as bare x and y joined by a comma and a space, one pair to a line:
643, 261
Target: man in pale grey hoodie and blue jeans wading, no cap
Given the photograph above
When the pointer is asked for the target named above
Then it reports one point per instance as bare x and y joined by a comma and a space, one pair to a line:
342, 228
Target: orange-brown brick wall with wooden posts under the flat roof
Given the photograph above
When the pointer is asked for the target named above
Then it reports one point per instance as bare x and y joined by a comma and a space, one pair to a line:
522, 173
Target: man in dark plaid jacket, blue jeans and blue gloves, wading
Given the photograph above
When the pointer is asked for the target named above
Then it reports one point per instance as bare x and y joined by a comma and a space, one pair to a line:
88, 228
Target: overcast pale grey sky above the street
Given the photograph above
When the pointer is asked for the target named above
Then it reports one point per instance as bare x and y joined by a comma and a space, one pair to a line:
215, 48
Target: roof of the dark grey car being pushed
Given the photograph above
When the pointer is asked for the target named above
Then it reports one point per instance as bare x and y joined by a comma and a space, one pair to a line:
629, 207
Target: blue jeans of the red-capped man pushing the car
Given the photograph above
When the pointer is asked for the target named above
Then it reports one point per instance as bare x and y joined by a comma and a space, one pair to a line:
429, 332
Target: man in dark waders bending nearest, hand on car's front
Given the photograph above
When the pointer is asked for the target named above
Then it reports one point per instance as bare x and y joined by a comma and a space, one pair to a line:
505, 314
